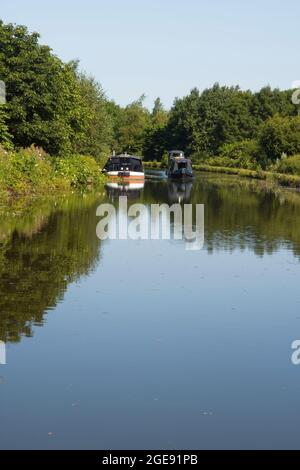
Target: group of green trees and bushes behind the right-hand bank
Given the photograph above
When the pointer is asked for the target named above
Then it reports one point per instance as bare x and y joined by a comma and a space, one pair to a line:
239, 126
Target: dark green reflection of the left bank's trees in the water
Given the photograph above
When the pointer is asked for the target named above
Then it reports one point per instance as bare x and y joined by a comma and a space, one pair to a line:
41, 253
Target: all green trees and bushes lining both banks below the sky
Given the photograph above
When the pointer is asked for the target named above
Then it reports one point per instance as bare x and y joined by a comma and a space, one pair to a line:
68, 126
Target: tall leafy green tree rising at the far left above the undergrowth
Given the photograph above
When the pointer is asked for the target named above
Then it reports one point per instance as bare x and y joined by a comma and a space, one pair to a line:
44, 103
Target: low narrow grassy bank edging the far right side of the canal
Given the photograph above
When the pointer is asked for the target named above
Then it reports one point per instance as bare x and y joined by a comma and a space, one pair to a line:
292, 181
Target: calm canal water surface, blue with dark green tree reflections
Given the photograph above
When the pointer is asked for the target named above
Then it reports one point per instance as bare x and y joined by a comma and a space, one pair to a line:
143, 344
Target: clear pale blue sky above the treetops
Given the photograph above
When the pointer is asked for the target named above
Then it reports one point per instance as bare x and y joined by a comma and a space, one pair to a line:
166, 47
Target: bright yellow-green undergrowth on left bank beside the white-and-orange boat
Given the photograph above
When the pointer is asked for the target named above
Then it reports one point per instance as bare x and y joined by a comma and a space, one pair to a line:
31, 171
